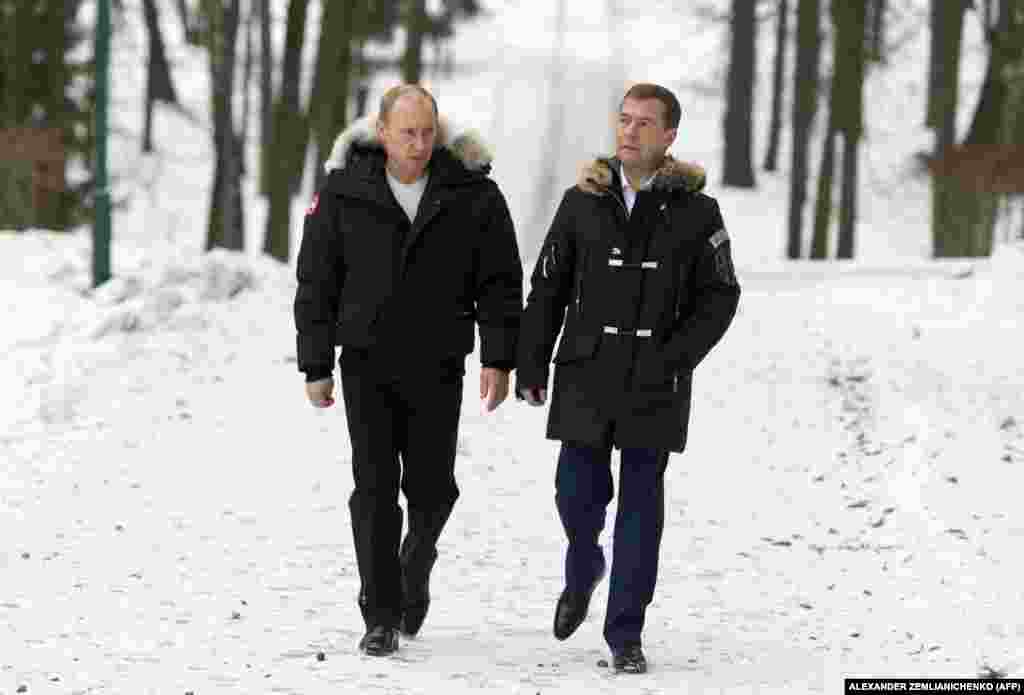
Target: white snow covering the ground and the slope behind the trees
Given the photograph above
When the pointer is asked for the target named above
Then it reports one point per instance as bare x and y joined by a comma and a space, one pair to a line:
176, 514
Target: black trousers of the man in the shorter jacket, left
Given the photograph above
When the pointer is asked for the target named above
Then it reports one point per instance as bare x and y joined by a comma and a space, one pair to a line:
404, 432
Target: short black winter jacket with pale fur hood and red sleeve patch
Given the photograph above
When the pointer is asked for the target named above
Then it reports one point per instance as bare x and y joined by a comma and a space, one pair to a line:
408, 294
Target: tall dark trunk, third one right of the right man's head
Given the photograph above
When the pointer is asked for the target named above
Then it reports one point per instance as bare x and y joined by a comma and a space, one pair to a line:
804, 110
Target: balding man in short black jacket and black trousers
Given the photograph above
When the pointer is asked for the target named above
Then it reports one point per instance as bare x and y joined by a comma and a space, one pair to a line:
406, 246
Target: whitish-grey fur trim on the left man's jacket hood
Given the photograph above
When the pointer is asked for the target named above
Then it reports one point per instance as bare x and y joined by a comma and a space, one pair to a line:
465, 145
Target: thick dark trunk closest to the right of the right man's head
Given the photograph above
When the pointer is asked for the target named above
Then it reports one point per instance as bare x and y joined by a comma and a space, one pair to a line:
739, 120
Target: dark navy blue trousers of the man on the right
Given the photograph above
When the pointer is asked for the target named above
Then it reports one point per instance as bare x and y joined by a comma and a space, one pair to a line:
584, 489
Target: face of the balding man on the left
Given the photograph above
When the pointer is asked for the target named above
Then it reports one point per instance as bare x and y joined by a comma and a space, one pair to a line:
409, 137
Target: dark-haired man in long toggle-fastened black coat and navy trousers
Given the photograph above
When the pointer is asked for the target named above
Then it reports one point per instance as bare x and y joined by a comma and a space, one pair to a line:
637, 268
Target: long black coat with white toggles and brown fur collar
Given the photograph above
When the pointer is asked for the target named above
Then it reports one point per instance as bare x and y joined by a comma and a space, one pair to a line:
641, 299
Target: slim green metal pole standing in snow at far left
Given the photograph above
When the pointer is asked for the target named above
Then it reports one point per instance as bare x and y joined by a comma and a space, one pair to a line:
102, 224
